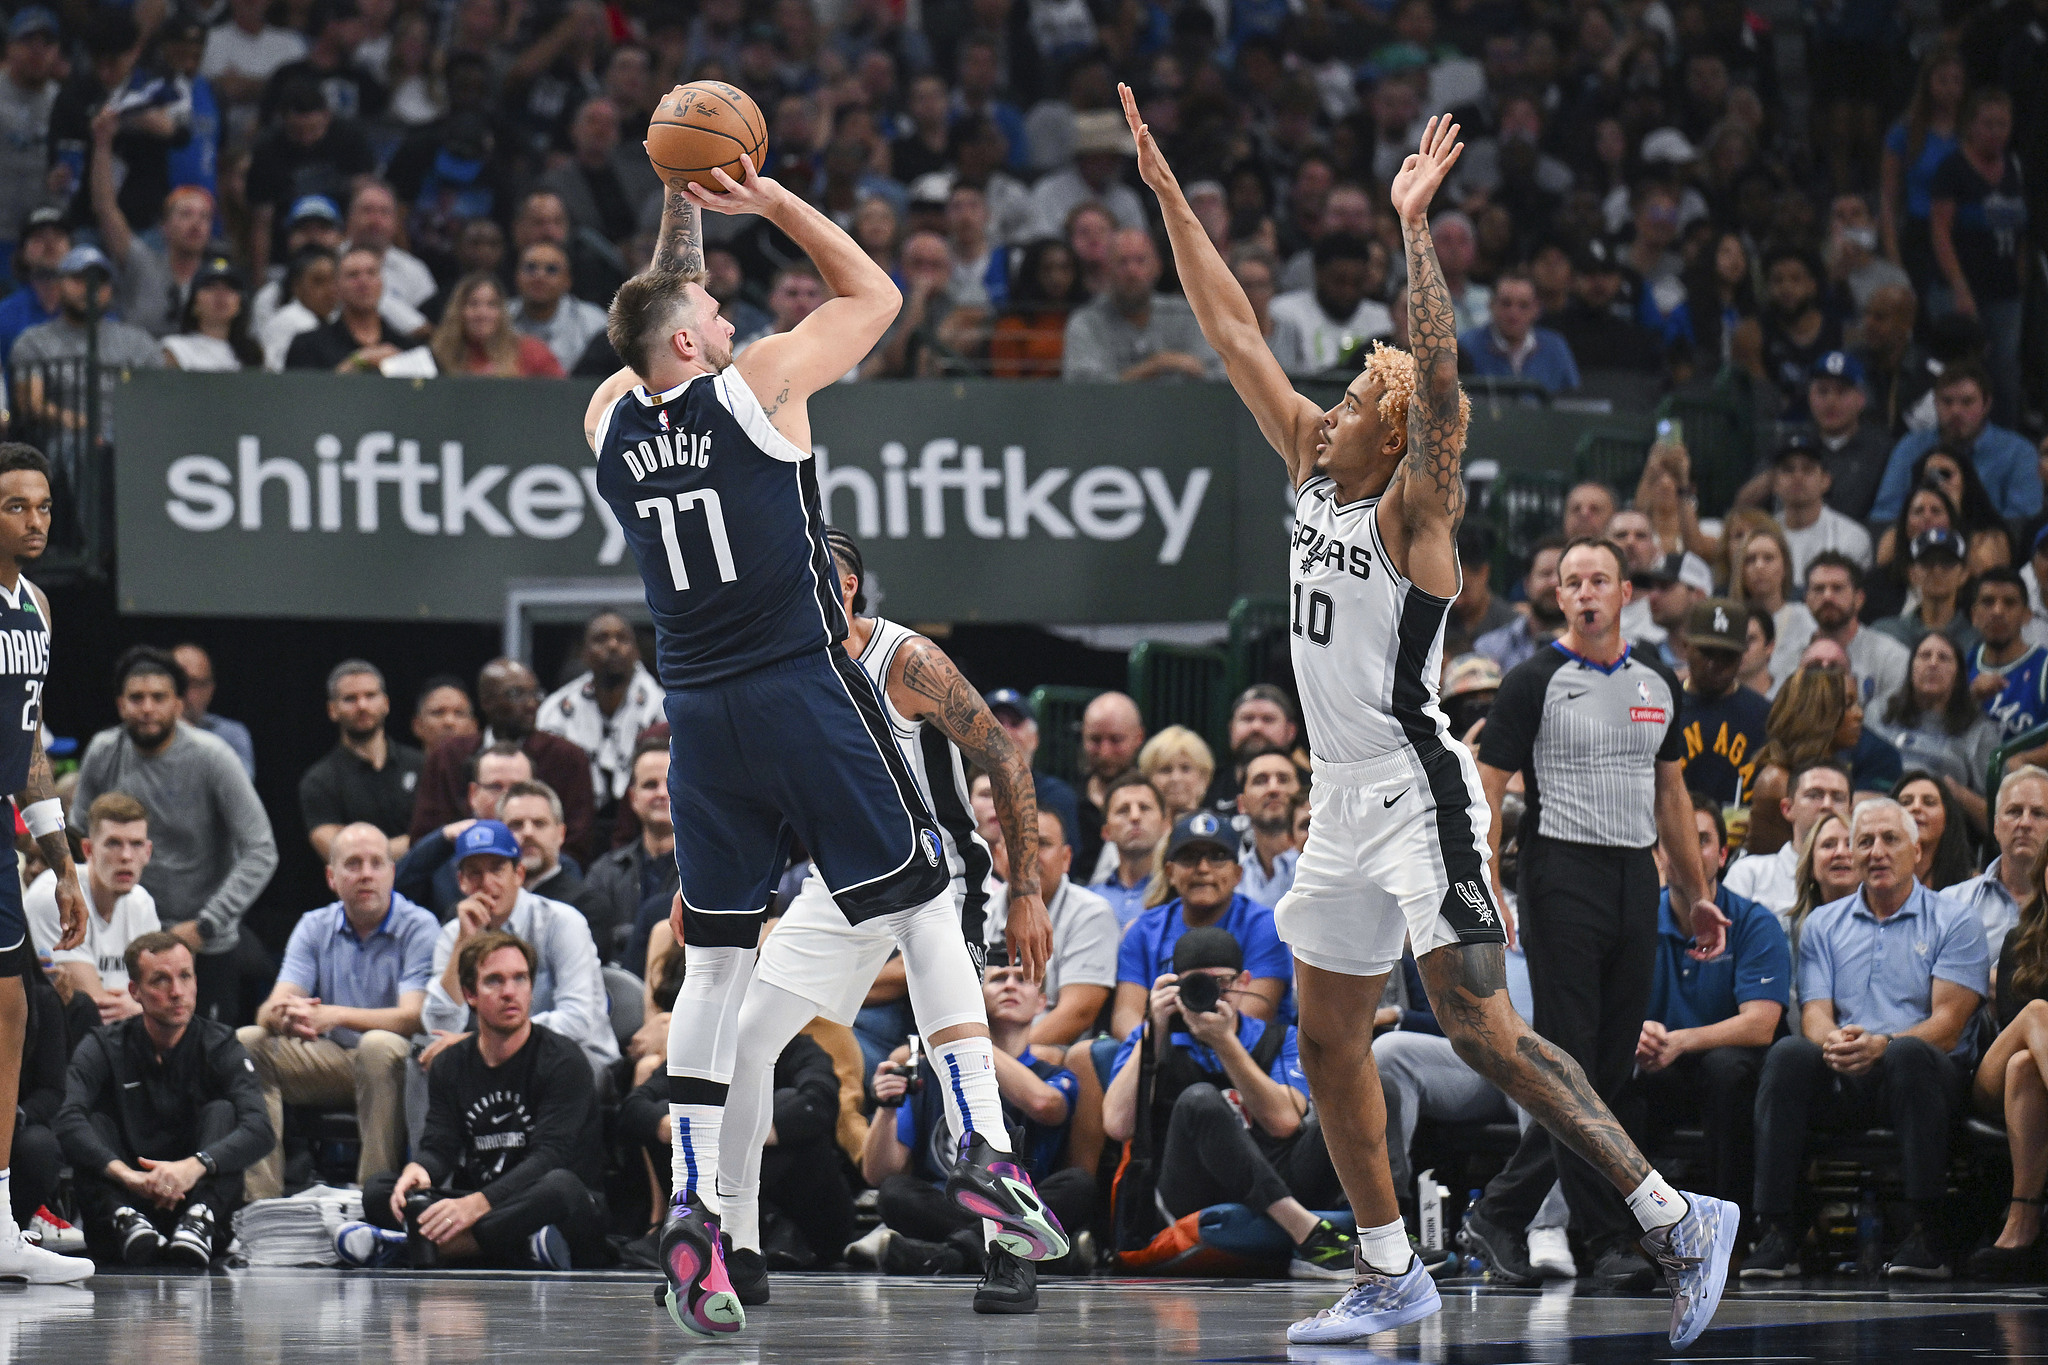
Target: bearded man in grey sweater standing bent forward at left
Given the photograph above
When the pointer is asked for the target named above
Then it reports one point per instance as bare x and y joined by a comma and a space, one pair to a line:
214, 846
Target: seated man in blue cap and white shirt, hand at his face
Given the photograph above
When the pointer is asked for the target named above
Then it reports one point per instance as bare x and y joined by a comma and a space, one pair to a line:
568, 985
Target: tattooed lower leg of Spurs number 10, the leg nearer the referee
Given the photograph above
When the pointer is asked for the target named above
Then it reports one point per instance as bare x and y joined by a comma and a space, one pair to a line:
1469, 994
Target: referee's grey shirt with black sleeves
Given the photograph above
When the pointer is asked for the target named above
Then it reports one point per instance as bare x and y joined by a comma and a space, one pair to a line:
1586, 740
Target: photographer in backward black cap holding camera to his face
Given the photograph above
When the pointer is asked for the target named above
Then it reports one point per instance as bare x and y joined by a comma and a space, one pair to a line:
1228, 1104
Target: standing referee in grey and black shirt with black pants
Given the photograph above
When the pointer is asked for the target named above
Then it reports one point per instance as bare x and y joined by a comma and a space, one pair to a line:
1594, 732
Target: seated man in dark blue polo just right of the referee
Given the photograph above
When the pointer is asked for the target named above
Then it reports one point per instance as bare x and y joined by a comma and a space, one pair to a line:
1709, 1026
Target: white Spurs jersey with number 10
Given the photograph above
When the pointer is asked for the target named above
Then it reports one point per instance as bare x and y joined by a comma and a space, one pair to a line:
1367, 644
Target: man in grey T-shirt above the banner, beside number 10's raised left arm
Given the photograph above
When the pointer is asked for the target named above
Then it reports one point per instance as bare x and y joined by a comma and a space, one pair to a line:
1134, 335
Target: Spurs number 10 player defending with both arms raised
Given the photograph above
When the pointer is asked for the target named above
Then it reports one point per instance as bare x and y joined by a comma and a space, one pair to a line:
1398, 840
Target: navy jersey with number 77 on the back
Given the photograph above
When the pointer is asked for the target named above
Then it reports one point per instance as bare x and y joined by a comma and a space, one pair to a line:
726, 527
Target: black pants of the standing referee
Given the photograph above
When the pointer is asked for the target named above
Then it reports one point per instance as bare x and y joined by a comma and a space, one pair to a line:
1590, 934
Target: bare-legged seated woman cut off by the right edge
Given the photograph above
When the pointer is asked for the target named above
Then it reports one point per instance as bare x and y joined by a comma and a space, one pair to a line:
2010, 1084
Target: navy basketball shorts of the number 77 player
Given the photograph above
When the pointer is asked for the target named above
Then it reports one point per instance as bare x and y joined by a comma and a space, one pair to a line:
794, 752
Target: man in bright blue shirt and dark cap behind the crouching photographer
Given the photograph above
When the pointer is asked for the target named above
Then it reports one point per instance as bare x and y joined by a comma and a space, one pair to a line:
1201, 867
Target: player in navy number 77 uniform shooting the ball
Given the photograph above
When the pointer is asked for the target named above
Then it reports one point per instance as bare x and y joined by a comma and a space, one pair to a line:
708, 468
